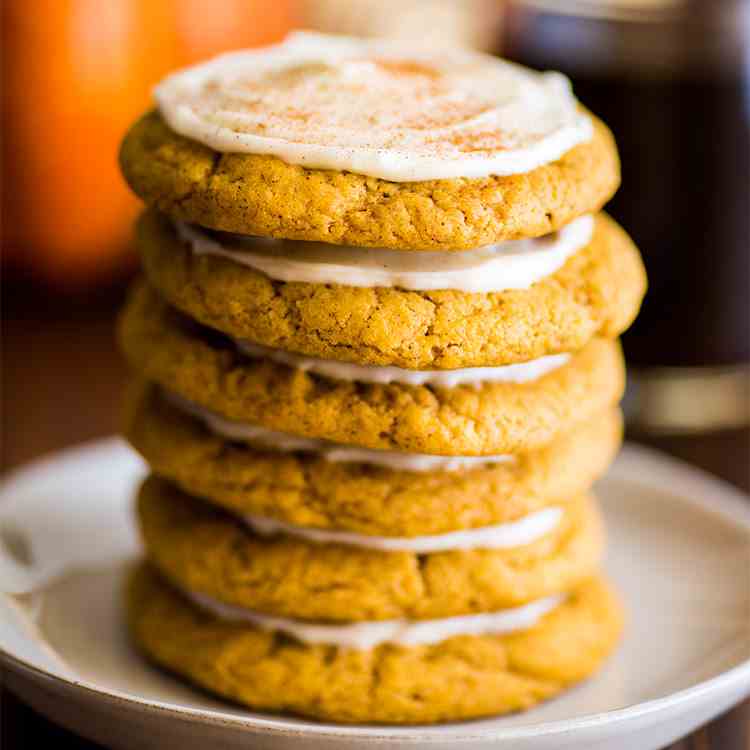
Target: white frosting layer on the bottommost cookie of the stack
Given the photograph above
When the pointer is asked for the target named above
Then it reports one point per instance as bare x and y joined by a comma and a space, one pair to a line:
367, 635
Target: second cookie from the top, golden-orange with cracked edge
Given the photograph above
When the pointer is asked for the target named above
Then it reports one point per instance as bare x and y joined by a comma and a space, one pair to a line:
597, 292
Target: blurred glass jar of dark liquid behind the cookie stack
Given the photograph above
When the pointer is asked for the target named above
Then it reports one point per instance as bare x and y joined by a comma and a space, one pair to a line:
672, 80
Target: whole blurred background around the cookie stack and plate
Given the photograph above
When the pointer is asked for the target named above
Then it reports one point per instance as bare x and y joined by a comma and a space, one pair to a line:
671, 77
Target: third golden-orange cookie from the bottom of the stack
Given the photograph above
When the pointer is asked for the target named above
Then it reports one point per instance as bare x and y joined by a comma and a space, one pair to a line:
308, 490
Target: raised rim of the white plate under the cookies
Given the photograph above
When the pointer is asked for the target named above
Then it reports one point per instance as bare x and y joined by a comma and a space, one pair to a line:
695, 486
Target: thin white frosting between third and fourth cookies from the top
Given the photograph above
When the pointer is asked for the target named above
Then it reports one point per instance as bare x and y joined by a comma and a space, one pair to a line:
282, 441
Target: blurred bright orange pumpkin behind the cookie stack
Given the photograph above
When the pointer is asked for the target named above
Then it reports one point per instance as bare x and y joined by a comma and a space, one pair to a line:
75, 73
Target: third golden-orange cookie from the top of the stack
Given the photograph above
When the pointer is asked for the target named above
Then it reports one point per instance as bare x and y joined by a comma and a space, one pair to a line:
497, 418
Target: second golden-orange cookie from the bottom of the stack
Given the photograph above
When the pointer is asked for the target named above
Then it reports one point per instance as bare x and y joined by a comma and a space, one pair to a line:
207, 551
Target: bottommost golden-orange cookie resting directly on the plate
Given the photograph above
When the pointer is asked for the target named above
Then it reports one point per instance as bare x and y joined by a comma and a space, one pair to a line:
463, 677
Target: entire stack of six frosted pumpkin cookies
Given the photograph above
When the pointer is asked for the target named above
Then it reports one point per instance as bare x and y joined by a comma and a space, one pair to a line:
376, 375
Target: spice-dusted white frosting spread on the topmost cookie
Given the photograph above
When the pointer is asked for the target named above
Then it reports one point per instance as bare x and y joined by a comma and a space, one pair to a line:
398, 110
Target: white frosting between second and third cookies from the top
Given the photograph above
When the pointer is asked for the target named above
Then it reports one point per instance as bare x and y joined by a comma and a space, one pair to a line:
522, 372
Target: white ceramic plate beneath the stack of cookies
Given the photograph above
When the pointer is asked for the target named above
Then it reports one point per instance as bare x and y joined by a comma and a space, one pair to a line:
679, 553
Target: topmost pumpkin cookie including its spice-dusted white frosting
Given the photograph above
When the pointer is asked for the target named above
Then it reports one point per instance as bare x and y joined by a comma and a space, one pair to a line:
370, 144
